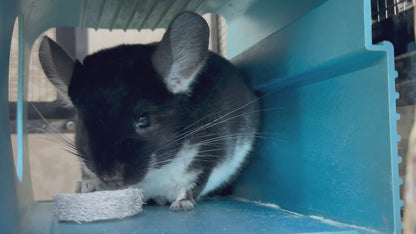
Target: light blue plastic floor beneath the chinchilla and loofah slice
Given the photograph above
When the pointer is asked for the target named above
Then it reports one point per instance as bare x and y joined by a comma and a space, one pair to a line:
213, 216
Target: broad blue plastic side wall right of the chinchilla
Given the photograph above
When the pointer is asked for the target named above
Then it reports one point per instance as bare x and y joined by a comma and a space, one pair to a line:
332, 147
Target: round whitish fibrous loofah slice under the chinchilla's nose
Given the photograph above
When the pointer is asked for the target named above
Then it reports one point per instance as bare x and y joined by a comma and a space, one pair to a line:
101, 205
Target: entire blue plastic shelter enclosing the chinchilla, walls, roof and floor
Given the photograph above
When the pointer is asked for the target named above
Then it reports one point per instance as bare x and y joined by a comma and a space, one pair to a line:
333, 93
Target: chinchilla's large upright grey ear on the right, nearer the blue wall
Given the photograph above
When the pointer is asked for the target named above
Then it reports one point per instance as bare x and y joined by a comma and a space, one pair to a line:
182, 52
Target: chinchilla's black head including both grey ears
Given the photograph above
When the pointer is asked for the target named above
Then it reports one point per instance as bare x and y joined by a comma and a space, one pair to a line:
130, 99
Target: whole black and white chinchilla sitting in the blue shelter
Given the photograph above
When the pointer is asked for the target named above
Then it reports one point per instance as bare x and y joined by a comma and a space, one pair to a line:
171, 118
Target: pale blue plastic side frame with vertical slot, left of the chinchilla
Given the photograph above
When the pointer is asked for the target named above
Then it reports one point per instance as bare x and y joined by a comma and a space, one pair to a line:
34, 17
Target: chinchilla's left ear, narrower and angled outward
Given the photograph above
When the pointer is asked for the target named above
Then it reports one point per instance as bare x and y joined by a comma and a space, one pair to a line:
58, 67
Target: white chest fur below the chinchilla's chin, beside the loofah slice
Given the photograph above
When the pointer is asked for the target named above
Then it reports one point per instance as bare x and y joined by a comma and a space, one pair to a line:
172, 179
